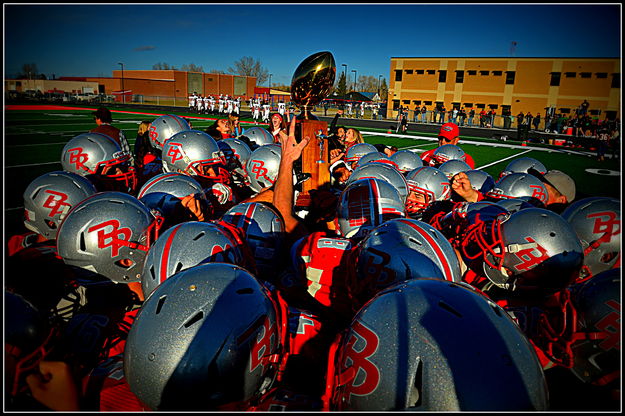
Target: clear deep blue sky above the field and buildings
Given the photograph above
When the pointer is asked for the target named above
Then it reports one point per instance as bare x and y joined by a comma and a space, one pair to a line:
90, 40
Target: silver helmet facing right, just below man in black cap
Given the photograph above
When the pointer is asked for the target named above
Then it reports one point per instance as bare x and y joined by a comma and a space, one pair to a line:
100, 155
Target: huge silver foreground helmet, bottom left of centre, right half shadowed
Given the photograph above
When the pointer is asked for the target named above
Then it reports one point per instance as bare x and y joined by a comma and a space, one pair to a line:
210, 336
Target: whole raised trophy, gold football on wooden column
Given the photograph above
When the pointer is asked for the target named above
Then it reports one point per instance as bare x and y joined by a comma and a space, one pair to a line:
312, 81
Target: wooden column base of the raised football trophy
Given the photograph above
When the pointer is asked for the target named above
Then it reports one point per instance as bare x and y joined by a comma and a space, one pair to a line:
315, 159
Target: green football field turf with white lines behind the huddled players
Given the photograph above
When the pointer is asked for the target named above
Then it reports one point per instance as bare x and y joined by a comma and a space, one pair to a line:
34, 137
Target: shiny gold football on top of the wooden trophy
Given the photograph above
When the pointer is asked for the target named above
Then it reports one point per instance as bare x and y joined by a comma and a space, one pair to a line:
313, 80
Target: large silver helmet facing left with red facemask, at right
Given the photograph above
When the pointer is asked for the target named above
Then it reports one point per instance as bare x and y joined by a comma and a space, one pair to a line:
533, 251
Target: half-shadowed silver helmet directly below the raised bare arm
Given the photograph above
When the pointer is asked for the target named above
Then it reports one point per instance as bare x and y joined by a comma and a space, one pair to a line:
264, 233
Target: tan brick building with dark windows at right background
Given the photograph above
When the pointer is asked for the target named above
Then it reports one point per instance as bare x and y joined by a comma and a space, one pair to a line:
518, 84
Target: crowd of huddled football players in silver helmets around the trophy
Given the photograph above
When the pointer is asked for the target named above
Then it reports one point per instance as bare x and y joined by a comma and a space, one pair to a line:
189, 276
